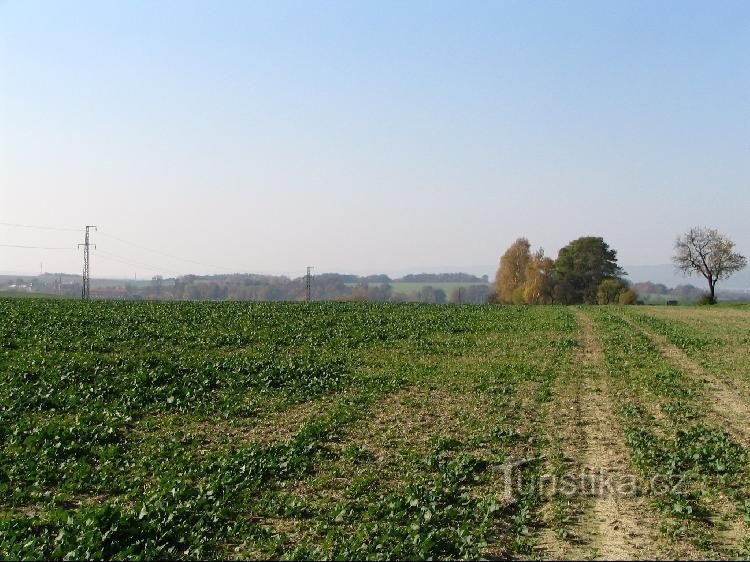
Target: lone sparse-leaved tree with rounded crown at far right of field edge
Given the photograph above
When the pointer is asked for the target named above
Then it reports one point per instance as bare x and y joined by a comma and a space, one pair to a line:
709, 253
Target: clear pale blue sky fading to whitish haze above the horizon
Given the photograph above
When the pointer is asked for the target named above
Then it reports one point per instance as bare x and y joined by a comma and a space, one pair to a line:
368, 137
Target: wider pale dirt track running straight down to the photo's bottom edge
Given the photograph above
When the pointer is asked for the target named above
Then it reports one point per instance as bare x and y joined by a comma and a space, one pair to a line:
606, 525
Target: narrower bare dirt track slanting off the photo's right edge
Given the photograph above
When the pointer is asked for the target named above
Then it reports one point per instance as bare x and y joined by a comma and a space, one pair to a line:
725, 401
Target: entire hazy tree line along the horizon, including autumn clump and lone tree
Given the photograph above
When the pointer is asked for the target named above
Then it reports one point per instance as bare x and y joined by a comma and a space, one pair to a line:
585, 271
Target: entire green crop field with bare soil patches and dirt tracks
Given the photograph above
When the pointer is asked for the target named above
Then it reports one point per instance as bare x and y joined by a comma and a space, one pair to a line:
362, 430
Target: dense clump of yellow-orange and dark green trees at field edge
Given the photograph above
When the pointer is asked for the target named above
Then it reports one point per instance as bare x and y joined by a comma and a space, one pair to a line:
585, 271
